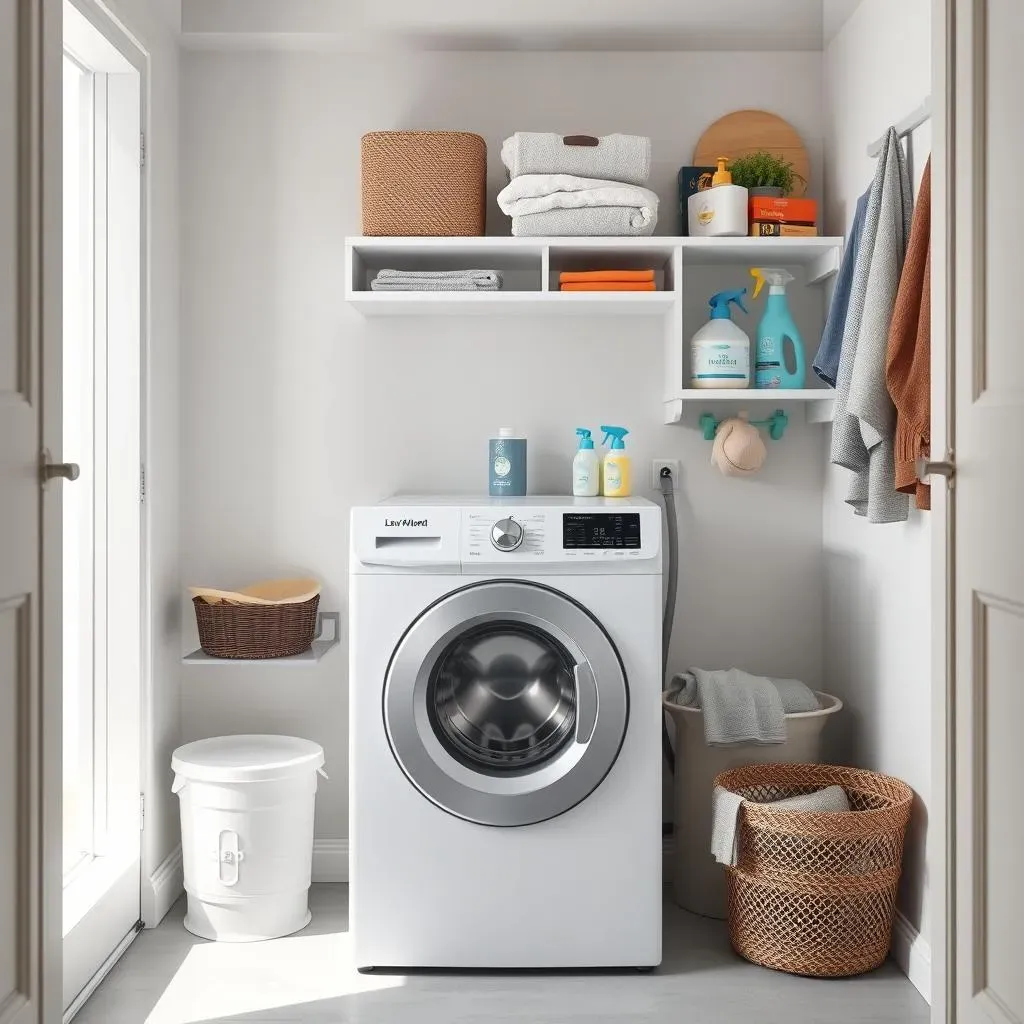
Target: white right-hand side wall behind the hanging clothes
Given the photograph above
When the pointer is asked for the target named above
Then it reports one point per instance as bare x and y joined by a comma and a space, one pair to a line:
878, 627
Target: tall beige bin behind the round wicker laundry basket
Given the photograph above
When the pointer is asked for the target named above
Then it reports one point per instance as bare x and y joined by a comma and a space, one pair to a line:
698, 880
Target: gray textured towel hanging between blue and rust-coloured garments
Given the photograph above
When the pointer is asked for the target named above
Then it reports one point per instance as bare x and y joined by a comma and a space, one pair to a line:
864, 430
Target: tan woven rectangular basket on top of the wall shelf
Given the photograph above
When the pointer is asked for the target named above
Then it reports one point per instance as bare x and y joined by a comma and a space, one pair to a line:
424, 183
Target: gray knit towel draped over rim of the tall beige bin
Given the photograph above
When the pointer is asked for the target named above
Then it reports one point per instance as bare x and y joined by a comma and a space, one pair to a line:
740, 708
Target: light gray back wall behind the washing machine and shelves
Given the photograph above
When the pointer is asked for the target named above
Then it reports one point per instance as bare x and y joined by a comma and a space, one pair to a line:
300, 409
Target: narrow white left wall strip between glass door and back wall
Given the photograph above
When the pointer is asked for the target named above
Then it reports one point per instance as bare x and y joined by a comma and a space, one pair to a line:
162, 711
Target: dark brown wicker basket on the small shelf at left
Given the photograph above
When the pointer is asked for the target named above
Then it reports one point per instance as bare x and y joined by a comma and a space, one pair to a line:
257, 631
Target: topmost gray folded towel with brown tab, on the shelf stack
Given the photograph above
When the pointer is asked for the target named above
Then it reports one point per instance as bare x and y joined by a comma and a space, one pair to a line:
618, 158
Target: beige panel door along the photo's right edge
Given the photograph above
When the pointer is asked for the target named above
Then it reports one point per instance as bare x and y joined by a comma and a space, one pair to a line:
990, 506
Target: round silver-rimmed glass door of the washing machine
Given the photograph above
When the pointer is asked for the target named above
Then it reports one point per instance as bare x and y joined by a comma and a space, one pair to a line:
506, 704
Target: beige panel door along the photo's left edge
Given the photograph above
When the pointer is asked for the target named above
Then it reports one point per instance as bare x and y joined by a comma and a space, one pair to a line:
30, 677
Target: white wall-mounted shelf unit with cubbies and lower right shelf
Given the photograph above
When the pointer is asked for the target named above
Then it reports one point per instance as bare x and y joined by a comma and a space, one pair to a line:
531, 267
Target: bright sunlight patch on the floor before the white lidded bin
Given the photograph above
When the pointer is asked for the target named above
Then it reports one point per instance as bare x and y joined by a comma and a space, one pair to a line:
217, 978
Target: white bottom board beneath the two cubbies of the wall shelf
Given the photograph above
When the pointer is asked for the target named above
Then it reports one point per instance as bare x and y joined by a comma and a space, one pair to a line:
504, 304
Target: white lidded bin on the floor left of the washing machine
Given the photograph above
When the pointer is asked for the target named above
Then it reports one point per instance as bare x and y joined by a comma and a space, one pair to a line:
247, 834
